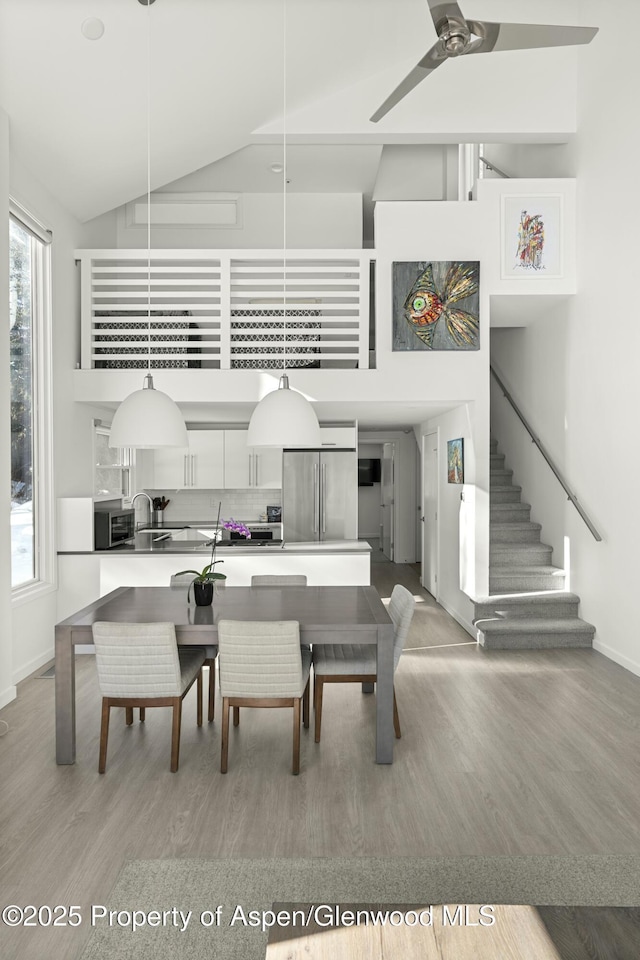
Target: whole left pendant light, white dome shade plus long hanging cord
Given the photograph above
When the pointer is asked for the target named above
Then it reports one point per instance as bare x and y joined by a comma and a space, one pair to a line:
148, 417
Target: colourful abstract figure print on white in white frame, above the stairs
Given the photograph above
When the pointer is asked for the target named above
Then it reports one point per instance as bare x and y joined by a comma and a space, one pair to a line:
531, 237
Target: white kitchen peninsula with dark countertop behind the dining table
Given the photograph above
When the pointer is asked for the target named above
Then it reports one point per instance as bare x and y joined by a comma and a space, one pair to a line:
150, 562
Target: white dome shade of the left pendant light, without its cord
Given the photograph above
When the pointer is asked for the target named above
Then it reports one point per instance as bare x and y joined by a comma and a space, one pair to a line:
148, 418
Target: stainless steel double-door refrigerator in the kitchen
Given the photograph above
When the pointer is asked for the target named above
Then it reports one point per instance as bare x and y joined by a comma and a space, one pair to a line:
319, 495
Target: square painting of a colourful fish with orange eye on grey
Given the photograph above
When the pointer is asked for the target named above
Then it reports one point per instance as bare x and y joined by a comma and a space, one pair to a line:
432, 311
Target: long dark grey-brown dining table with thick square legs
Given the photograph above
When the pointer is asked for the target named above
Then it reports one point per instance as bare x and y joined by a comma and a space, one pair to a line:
351, 614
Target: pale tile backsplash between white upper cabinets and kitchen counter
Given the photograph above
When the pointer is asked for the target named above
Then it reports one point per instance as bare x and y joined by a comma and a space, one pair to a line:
203, 504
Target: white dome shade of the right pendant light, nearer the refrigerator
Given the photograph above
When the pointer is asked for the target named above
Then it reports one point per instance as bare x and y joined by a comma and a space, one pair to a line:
284, 418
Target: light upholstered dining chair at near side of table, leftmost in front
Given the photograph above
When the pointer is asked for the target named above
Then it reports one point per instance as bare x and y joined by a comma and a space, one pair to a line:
141, 665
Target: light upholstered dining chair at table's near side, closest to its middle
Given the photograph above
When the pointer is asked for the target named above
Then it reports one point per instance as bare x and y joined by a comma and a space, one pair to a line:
262, 665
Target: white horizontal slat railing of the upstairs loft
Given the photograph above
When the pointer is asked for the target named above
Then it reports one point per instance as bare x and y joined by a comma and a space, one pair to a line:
224, 309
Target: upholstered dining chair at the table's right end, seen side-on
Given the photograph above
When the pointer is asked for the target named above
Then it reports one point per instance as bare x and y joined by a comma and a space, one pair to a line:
356, 663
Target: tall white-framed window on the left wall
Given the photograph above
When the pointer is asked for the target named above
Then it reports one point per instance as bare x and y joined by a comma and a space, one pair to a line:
31, 506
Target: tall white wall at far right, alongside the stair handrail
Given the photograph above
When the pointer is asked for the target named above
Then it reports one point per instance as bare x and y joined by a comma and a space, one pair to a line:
576, 373
